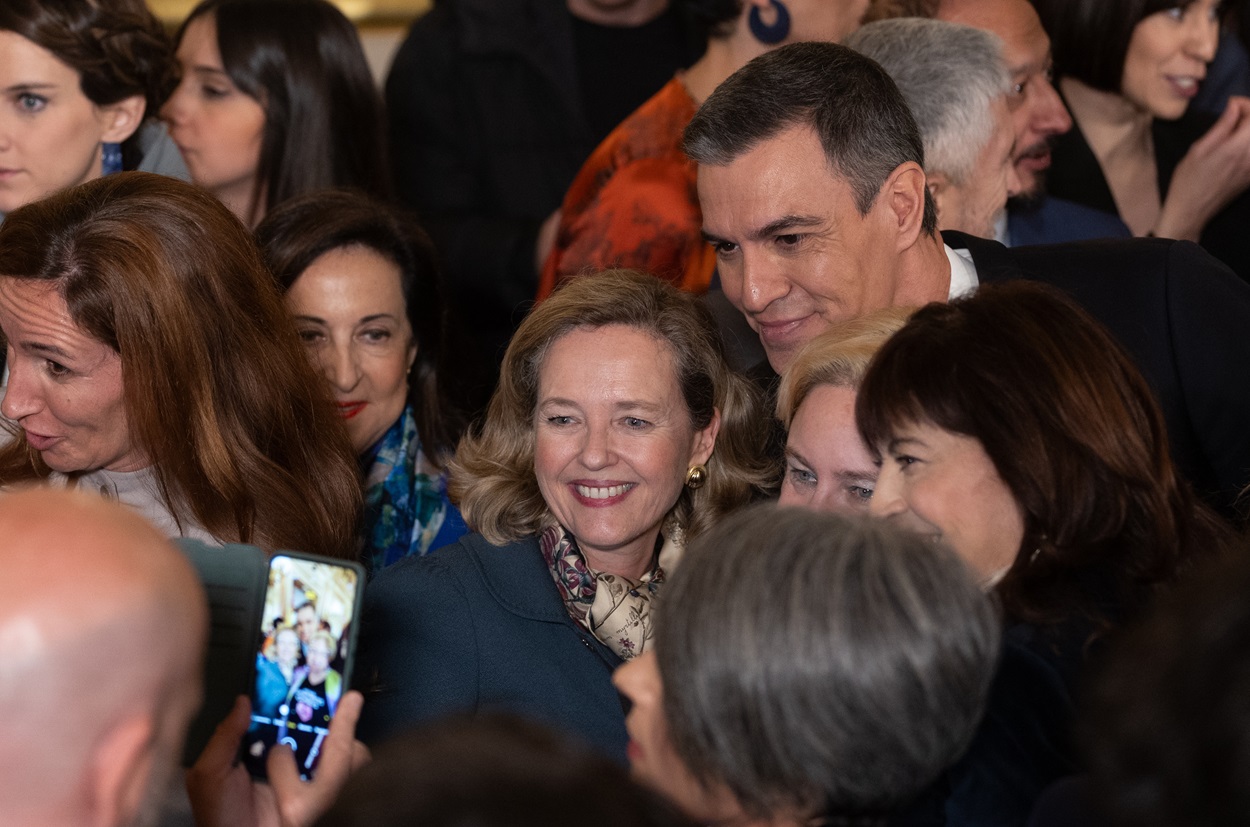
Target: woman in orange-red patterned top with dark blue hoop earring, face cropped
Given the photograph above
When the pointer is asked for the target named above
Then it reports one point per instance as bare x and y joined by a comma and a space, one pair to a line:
633, 204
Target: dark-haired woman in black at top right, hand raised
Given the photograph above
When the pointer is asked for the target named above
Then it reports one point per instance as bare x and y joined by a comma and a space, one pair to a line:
1128, 71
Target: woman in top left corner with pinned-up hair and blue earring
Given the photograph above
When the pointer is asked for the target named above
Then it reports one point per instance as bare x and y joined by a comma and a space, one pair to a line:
82, 78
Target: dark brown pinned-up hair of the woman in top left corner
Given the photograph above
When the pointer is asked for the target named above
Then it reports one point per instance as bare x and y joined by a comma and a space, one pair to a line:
117, 47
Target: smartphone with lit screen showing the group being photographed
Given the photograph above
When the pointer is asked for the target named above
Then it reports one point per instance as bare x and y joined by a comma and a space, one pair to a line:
304, 658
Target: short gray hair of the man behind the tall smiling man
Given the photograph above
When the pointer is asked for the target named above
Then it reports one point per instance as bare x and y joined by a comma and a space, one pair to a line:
951, 77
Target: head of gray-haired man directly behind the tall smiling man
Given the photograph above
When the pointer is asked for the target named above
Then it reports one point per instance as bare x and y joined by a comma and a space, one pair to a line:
956, 83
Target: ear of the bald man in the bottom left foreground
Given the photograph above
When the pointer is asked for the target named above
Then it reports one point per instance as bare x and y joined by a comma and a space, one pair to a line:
122, 771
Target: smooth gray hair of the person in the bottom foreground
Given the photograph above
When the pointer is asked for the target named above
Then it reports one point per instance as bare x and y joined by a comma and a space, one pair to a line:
822, 663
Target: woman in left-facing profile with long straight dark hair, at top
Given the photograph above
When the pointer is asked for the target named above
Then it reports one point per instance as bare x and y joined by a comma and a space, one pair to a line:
276, 101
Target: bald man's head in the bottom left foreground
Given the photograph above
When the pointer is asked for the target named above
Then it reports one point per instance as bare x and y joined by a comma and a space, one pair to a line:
103, 626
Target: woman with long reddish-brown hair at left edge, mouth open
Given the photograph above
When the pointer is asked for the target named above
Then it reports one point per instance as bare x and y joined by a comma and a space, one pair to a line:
151, 359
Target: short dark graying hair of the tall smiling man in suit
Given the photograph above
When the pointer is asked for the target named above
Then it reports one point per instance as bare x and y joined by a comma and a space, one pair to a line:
859, 116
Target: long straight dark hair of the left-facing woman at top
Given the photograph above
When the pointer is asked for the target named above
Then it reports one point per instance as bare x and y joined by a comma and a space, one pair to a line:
302, 61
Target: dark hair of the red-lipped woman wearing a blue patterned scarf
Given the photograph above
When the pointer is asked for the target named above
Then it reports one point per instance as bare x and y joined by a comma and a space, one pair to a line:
304, 229
